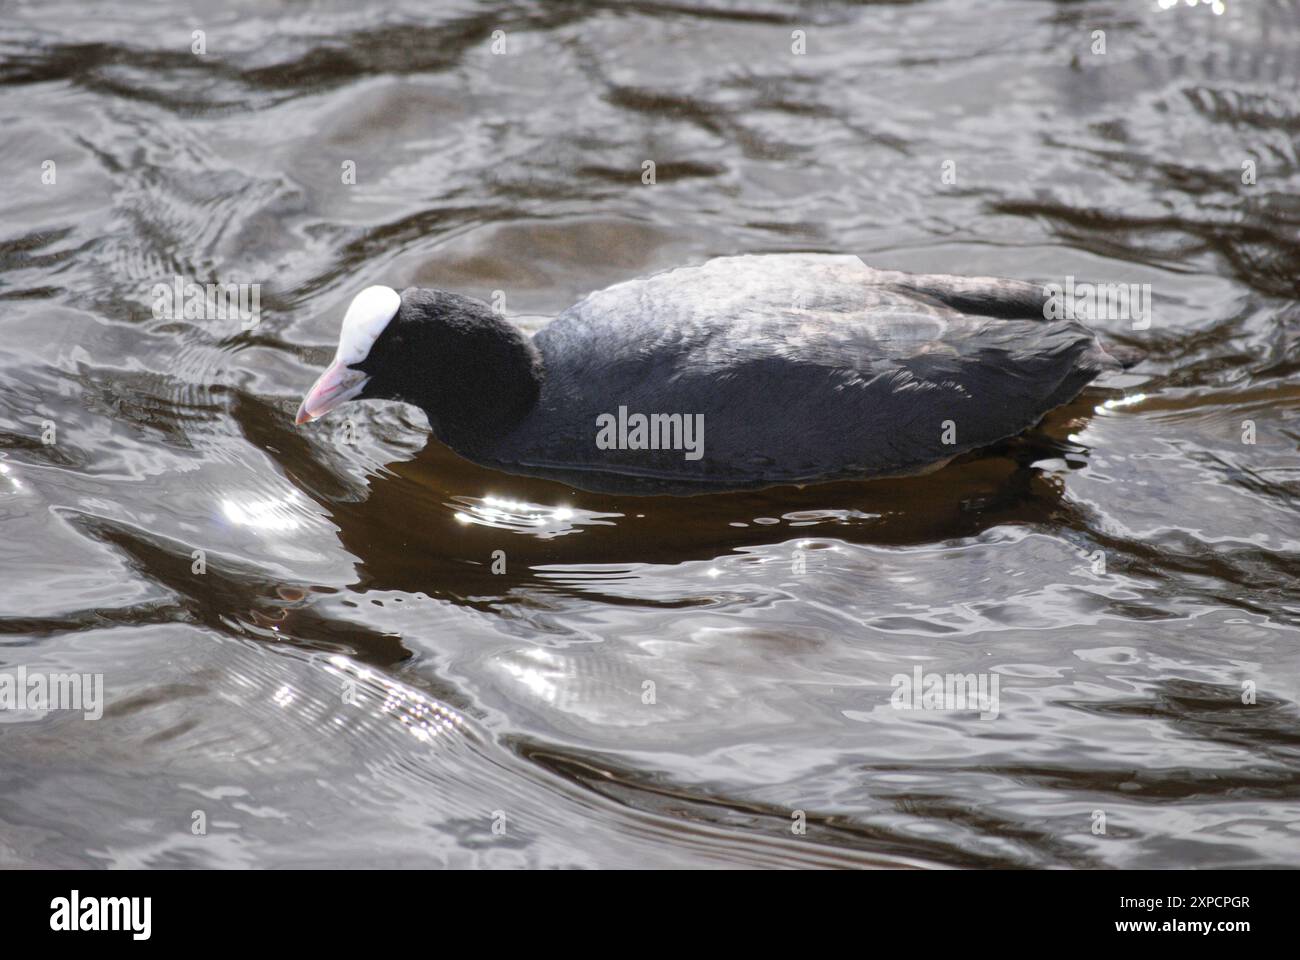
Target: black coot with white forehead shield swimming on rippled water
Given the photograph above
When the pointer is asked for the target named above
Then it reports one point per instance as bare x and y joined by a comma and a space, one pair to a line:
739, 374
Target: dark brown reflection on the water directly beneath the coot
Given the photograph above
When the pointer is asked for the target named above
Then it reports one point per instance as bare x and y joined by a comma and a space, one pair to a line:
436, 524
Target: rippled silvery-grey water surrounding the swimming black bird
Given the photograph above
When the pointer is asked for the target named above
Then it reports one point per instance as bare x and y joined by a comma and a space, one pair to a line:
352, 684
